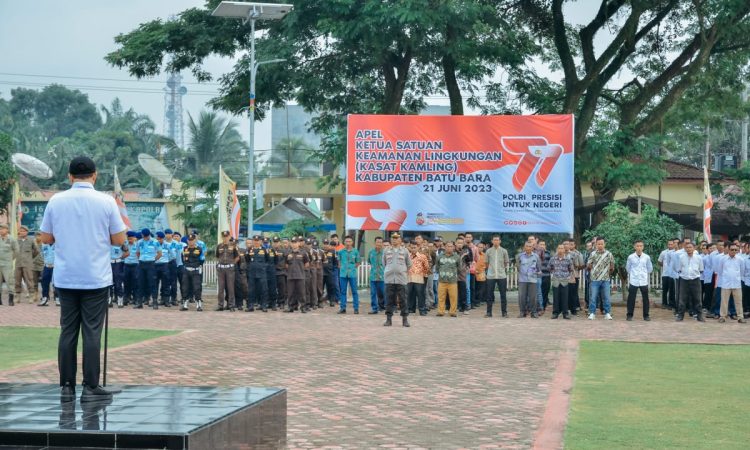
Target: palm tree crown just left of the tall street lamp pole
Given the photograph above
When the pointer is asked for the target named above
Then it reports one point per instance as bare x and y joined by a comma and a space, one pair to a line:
213, 140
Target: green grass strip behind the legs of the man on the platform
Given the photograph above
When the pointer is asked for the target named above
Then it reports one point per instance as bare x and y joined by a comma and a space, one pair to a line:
27, 345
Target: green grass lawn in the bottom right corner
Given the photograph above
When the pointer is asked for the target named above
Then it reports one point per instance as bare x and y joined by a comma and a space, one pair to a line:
654, 396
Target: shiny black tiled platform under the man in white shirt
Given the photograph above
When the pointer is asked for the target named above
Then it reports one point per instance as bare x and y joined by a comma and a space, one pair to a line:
143, 417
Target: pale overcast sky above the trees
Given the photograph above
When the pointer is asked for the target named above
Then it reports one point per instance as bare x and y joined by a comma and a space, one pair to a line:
53, 41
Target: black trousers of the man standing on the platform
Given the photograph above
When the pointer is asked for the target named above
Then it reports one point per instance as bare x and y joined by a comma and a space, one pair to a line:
81, 311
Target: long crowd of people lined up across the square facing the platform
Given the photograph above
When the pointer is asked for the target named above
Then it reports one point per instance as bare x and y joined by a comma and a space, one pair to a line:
707, 280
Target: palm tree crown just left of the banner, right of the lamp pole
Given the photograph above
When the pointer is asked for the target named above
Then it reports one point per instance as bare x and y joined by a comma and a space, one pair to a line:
292, 157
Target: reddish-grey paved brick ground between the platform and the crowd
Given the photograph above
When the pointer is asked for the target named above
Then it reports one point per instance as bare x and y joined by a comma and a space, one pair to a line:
467, 382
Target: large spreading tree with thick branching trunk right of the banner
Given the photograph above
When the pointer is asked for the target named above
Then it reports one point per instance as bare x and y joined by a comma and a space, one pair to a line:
665, 46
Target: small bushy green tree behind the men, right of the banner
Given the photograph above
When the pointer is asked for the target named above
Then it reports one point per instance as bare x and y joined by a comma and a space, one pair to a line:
621, 229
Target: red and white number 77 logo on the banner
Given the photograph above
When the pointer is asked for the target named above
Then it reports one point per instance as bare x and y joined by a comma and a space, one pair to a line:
537, 155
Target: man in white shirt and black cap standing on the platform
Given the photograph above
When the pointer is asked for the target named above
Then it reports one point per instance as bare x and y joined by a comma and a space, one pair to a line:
74, 219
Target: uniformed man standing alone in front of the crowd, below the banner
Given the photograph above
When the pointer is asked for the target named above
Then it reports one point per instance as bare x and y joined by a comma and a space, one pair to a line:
396, 265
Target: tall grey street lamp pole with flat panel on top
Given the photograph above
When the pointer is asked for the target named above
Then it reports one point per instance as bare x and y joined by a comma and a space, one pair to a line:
251, 12
